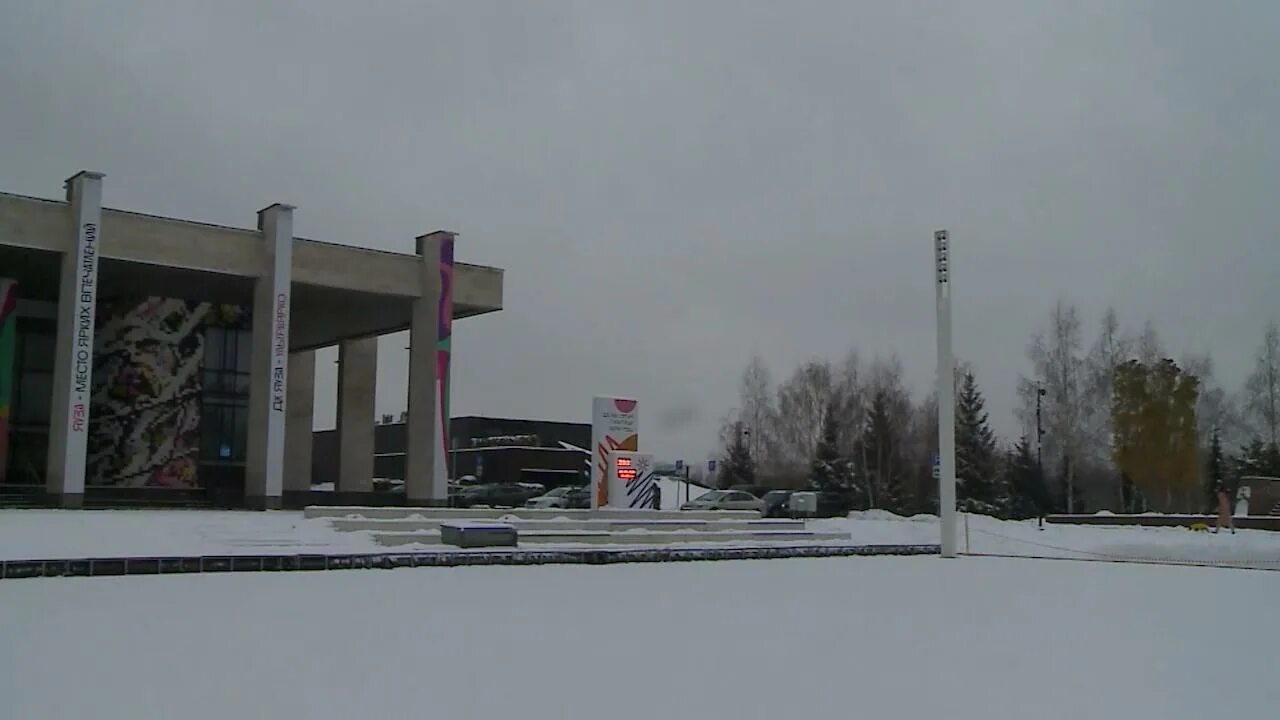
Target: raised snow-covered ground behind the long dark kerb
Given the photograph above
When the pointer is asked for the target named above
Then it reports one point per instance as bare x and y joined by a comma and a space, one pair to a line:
29, 535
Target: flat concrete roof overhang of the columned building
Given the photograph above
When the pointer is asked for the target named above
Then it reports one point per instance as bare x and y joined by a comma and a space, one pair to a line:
340, 291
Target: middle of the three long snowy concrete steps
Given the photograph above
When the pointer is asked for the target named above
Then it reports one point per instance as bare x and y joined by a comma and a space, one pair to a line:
418, 525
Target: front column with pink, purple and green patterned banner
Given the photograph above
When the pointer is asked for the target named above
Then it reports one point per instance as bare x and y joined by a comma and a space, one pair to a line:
431, 327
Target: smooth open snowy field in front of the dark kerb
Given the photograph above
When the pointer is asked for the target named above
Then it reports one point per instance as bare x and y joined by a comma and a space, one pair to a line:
871, 637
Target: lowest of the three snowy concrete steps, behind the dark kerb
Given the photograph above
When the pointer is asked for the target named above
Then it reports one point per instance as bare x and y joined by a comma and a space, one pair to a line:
632, 537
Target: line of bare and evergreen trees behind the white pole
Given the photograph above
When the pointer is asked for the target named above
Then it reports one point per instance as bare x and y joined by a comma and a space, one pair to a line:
1116, 423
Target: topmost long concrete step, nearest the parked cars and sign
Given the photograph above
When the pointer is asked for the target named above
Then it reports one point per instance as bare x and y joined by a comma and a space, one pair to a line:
522, 513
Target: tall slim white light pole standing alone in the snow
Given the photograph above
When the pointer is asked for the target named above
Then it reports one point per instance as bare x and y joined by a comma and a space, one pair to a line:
947, 398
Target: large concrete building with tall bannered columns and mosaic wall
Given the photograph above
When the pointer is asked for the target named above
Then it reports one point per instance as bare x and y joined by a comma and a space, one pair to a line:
152, 359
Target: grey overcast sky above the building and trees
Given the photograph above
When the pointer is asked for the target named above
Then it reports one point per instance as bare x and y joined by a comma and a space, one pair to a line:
673, 186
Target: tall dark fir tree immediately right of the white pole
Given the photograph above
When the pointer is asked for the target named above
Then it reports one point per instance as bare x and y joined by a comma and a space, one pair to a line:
976, 453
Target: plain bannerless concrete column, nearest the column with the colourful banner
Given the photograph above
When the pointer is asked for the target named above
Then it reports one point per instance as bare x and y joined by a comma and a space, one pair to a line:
358, 388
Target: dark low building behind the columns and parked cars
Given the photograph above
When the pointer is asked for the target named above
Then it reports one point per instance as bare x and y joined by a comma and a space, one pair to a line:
492, 450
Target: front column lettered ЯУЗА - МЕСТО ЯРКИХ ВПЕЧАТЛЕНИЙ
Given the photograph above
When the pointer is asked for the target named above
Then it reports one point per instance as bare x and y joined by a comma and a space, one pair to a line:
74, 352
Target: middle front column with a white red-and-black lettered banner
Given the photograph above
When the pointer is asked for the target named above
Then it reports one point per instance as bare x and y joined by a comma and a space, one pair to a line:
268, 390
